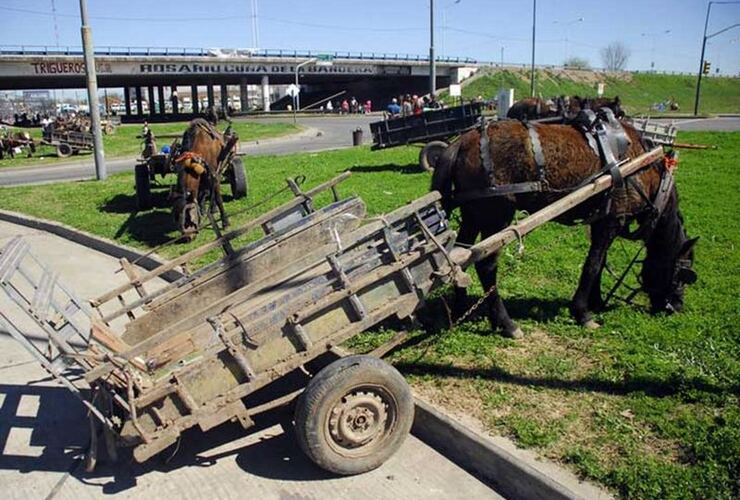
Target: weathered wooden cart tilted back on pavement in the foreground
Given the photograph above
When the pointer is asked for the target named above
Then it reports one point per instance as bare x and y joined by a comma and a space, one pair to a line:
192, 352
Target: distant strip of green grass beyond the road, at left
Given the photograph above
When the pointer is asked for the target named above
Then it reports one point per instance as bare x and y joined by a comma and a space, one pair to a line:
124, 143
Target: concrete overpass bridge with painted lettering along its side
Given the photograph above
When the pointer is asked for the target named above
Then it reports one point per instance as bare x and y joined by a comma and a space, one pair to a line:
153, 75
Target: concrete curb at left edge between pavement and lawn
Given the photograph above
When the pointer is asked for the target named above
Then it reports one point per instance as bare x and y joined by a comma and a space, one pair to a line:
88, 240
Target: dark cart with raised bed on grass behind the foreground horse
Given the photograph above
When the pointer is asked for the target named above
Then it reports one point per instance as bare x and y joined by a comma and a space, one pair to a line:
431, 128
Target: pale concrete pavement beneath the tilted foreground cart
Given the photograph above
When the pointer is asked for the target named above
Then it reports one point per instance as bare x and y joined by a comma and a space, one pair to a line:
43, 432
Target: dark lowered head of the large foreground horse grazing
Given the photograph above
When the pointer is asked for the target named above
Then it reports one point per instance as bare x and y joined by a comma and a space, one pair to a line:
668, 267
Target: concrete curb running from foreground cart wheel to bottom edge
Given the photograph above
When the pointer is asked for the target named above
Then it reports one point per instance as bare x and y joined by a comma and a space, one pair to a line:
510, 475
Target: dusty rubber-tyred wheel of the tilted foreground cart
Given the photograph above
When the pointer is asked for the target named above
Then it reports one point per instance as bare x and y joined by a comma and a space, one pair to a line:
354, 415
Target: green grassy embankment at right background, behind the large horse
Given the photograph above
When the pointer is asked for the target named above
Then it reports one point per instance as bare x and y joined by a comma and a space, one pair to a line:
638, 91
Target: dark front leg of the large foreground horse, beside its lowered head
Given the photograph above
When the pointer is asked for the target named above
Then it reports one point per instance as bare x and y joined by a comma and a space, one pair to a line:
588, 293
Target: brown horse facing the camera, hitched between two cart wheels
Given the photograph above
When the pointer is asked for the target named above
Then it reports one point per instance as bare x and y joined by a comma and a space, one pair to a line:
198, 179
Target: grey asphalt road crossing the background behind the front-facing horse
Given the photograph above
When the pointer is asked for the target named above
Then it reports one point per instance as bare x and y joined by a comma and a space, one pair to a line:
320, 133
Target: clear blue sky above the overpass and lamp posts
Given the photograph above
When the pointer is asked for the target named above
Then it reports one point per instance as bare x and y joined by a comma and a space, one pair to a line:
475, 28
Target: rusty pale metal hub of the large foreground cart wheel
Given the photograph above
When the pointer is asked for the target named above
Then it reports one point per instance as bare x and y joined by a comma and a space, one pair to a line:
357, 419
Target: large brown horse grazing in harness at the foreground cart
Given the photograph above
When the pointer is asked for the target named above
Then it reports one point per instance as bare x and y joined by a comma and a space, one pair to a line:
569, 161
